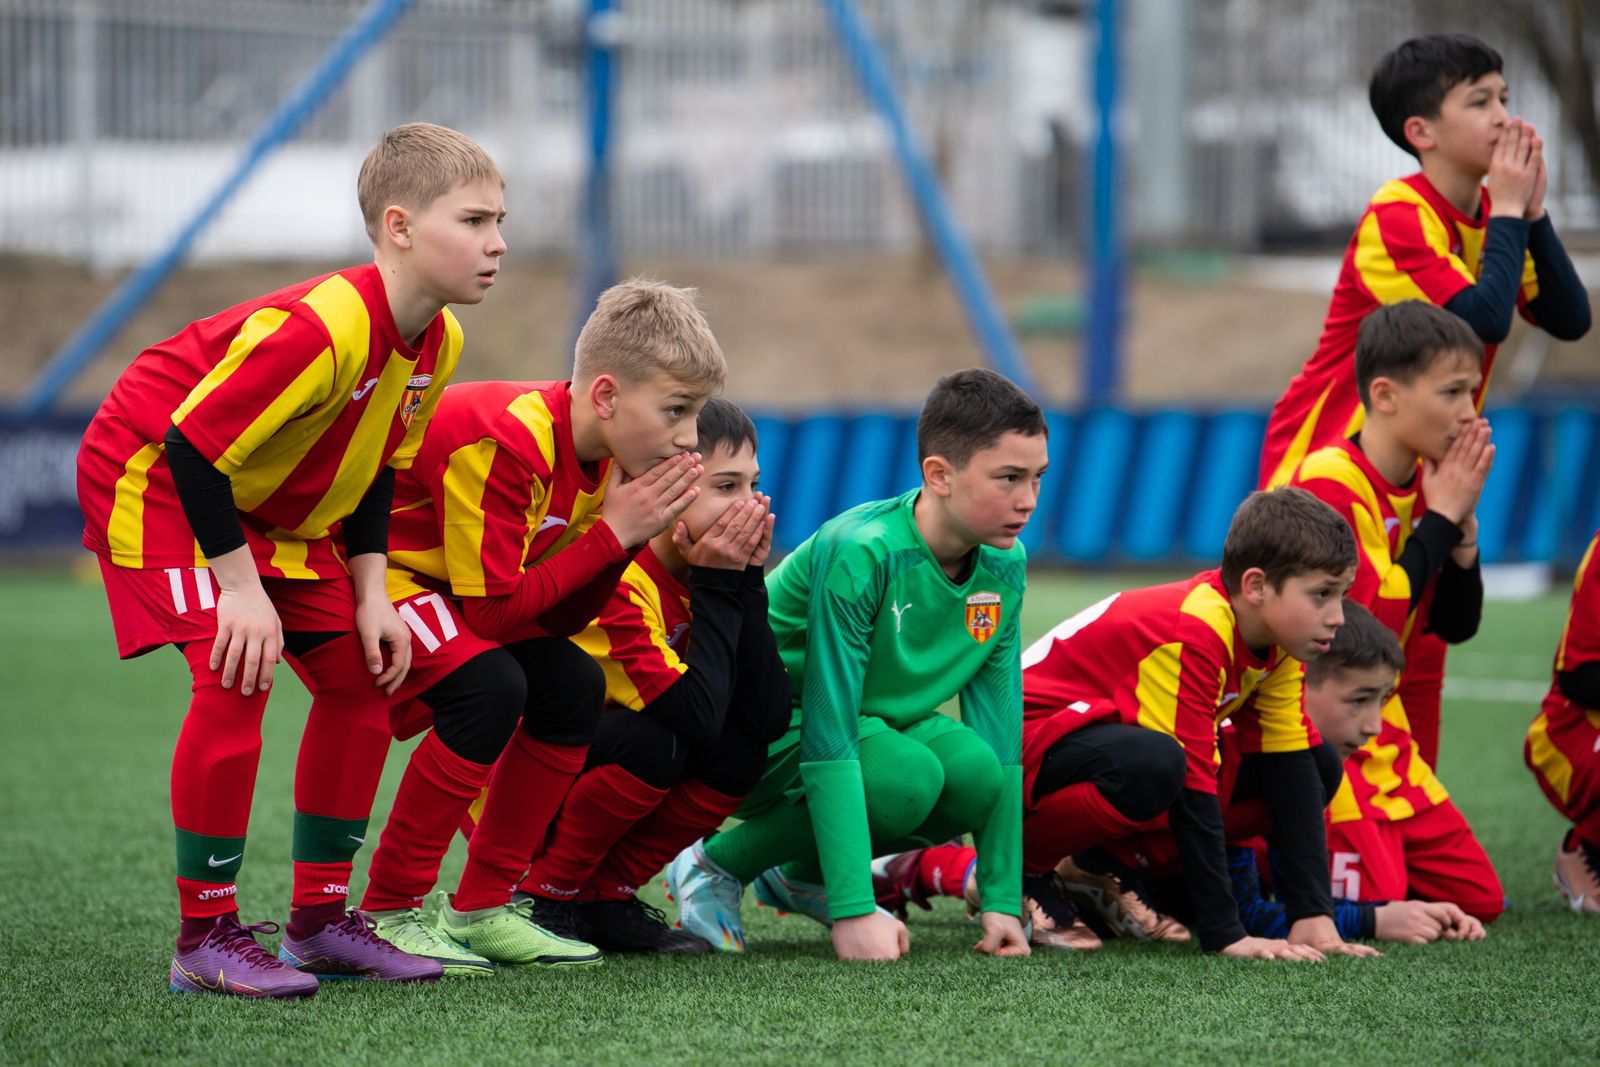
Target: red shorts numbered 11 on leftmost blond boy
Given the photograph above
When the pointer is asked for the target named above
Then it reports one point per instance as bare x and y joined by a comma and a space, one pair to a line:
178, 605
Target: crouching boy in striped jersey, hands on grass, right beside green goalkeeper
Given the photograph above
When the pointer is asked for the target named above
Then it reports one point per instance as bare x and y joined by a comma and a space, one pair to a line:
1121, 713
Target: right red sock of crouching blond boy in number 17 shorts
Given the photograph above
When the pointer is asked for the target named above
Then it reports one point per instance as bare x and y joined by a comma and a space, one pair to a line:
527, 791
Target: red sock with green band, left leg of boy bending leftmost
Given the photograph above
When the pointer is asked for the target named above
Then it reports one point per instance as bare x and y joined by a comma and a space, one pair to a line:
214, 781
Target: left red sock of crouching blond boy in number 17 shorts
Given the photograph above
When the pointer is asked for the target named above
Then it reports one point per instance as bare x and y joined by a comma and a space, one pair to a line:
436, 789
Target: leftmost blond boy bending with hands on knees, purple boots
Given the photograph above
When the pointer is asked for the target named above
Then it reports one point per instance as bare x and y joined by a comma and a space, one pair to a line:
236, 489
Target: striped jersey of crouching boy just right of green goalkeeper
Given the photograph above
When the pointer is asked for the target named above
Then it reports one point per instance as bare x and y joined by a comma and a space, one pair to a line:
1172, 660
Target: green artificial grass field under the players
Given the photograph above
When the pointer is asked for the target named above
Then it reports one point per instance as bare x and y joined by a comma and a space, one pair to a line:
89, 911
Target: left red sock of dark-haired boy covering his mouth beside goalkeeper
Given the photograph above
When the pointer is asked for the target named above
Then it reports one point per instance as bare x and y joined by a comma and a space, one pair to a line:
604, 804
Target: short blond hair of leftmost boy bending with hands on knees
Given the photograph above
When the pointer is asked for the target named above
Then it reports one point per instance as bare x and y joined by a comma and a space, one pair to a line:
415, 166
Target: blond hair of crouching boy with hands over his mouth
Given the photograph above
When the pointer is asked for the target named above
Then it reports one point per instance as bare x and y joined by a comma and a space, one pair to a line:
642, 329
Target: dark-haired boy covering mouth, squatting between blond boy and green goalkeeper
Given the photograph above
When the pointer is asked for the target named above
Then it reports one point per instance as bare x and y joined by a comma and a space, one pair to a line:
695, 695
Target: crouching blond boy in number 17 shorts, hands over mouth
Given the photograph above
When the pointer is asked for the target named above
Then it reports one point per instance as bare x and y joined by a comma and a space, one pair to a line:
511, 530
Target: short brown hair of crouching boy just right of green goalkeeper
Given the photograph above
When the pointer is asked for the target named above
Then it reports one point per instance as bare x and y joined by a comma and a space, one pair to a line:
1286, 532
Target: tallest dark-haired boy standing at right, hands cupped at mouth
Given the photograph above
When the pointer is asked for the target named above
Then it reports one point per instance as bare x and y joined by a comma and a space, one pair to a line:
1479, 249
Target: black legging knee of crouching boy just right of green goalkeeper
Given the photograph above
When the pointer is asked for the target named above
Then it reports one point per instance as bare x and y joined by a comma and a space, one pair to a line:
1140, 772
